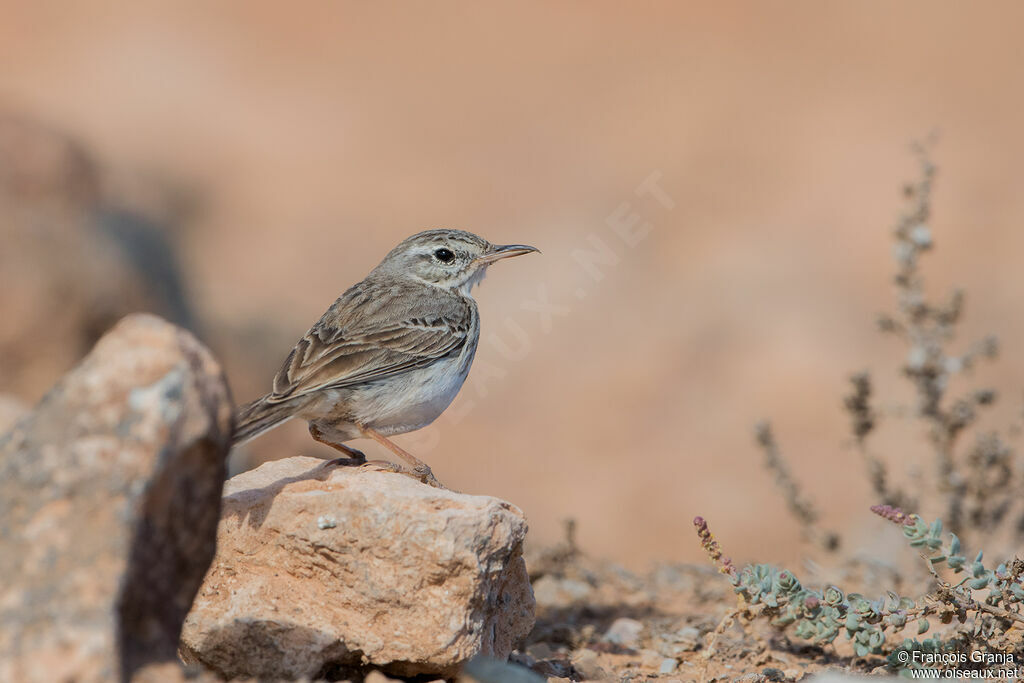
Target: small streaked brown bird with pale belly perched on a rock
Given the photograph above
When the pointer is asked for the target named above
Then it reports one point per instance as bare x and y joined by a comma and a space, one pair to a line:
390, 356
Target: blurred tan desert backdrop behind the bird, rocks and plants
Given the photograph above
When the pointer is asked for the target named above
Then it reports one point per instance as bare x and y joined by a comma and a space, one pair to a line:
713, 187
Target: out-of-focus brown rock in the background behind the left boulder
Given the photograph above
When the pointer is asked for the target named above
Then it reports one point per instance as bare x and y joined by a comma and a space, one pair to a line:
73, 262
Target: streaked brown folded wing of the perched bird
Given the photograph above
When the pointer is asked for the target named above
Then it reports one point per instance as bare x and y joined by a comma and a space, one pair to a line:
363, 338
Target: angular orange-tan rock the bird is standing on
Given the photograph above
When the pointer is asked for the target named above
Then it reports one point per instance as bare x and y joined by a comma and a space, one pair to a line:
408, 579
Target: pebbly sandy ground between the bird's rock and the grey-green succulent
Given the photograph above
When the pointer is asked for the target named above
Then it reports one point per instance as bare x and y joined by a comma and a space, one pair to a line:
596, 621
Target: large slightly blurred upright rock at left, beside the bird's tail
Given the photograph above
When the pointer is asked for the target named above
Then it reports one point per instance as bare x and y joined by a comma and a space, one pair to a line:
110, 495
